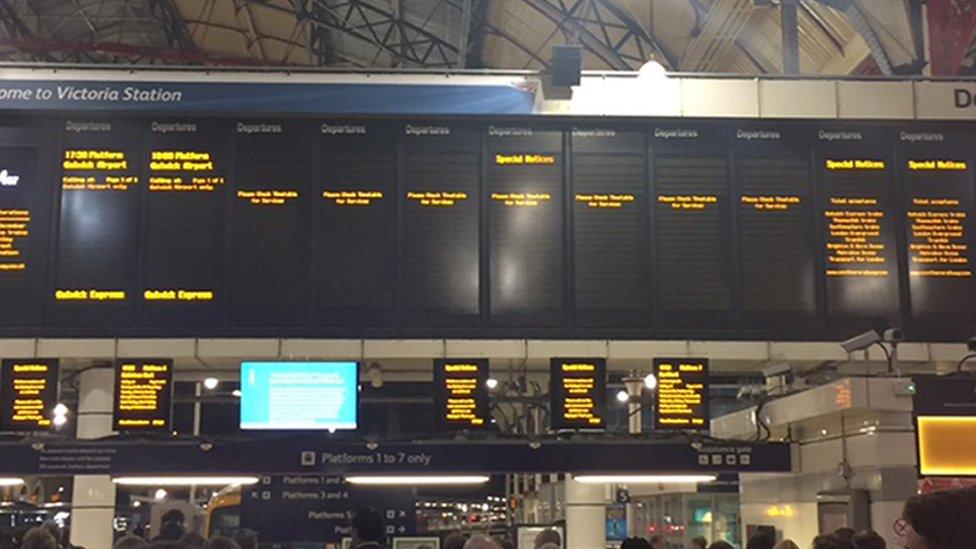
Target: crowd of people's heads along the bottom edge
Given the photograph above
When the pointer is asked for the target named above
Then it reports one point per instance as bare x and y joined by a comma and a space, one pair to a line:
941, 520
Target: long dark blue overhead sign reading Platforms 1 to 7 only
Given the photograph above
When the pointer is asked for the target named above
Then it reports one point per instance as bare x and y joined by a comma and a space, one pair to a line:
298, 456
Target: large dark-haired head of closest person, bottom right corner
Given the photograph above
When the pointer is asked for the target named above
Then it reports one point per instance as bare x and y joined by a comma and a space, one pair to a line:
940, 520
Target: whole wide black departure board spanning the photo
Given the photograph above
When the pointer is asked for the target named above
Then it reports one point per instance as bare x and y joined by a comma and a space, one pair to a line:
474, 227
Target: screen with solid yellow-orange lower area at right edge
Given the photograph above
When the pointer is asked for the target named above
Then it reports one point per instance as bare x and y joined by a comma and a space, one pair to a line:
945, 416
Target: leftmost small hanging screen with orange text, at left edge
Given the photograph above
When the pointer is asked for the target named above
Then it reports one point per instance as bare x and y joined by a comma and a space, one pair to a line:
28, 394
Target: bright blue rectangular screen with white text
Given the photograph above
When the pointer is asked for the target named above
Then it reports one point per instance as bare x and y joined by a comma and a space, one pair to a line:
299, 395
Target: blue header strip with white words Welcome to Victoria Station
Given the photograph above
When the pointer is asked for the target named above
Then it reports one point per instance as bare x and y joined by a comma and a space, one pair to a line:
223, 97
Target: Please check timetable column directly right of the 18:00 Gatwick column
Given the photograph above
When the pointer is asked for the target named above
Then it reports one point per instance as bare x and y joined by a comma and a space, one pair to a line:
270, 246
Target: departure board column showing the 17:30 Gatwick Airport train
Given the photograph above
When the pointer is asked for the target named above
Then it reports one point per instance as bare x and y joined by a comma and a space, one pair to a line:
101, 178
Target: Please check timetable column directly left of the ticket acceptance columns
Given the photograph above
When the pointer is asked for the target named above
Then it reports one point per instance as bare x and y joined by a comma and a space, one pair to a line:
776, 237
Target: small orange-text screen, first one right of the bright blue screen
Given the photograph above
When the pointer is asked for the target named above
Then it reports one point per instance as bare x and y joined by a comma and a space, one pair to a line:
460, 394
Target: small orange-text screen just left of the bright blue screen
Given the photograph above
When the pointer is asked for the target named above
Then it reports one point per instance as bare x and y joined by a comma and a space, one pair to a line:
143, 395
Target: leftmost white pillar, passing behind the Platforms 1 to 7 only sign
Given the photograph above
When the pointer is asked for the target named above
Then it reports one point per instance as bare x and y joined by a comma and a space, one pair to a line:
93, 497
